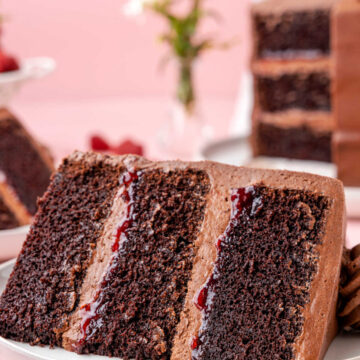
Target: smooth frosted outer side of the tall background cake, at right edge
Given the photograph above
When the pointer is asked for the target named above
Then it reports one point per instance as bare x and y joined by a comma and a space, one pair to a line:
346, 45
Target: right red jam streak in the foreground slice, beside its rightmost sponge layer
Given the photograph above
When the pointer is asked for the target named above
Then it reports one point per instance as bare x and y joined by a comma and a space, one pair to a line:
243, 201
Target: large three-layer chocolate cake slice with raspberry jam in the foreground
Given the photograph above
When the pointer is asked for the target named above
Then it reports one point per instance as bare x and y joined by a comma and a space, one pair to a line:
175, 260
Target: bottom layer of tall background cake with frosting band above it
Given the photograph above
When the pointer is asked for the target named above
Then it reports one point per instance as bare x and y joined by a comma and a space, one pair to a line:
304, 136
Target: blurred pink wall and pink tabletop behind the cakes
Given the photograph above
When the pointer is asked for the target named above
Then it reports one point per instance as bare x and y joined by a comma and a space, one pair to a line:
108, 79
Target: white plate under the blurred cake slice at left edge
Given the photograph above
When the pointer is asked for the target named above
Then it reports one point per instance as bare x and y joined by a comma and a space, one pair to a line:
11, 242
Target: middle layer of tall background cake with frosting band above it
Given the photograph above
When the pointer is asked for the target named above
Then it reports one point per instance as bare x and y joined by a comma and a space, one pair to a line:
283, 85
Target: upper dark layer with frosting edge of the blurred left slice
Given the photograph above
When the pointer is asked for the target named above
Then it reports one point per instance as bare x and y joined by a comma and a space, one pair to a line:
27, 168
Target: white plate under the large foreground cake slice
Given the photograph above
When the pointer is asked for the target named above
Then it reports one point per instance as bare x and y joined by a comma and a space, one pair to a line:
344, 347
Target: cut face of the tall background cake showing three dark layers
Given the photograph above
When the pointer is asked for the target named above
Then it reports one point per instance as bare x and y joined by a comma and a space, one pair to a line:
292, 79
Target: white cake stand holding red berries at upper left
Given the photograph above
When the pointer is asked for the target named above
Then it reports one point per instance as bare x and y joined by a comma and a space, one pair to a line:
30, 69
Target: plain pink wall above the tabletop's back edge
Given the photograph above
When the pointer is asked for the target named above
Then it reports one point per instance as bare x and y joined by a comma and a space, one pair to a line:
101, 53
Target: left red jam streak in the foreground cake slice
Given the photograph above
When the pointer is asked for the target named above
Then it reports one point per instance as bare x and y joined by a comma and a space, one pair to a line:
90, 311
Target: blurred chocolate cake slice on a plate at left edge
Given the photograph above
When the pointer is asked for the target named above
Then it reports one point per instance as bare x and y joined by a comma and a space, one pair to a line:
25, 170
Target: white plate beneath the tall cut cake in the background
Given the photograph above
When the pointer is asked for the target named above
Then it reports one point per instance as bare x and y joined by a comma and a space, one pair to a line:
237, 151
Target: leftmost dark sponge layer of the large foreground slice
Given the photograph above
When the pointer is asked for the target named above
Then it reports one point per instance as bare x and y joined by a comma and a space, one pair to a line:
44, 286
